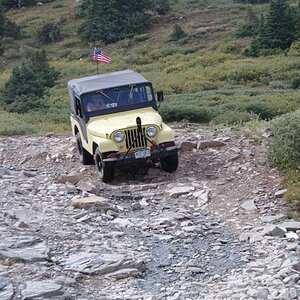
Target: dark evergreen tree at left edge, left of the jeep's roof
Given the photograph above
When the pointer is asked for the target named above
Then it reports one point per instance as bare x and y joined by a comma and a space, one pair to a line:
24, 90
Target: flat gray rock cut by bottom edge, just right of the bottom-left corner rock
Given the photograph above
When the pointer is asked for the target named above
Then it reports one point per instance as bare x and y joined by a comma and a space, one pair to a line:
42, 290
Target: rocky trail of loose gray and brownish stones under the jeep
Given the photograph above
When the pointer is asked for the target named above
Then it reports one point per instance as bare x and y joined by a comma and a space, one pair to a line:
215, 229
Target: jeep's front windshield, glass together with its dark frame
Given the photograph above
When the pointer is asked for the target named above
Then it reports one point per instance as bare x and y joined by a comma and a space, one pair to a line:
118, 99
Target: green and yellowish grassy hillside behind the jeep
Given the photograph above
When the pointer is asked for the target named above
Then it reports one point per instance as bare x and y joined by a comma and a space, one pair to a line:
204, 75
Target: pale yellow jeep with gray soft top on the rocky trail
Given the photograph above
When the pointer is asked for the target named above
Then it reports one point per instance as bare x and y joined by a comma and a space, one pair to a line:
115, 121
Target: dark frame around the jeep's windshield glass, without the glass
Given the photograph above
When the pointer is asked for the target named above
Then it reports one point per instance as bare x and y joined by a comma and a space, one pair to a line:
117, 109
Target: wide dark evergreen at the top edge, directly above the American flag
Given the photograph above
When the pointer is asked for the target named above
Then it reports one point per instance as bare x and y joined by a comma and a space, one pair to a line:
113, 20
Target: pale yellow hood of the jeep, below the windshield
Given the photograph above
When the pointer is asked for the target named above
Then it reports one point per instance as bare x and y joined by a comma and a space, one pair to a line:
106, 124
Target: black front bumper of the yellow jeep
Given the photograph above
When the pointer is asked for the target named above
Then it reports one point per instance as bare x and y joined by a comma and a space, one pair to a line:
123, 159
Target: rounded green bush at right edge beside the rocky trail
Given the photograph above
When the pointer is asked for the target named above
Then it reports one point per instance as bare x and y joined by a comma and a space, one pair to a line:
284, 148
